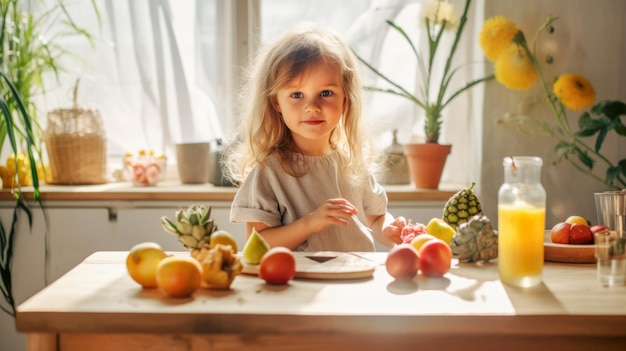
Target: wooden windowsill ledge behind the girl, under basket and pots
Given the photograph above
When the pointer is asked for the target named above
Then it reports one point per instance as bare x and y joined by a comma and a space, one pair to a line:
174, 190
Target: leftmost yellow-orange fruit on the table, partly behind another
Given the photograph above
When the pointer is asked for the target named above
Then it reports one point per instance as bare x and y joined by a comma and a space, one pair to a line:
142, 262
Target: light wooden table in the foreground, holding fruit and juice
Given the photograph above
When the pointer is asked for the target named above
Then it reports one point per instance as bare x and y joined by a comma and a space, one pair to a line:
96, 306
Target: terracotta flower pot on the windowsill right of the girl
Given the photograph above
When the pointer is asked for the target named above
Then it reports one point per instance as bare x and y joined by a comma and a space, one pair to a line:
426, 162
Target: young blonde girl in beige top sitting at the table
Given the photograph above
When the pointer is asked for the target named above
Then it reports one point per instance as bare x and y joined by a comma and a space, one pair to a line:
303, 158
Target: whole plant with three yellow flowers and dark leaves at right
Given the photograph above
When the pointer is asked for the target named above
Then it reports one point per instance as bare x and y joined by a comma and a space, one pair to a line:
517, 67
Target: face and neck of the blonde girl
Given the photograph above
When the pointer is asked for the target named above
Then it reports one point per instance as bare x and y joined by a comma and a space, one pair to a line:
312, 104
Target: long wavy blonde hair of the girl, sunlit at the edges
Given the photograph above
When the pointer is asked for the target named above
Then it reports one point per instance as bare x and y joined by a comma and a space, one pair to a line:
263, 131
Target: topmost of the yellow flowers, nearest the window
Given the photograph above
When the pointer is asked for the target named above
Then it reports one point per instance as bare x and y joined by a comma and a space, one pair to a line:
496, 36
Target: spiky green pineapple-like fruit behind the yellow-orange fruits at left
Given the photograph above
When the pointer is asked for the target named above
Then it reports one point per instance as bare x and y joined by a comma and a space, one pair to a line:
193, 226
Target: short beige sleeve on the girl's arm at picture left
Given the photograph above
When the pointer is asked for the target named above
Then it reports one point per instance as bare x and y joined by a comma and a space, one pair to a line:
255, 201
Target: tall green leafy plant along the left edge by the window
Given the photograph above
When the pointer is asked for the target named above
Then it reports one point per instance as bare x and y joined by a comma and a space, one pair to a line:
27, 54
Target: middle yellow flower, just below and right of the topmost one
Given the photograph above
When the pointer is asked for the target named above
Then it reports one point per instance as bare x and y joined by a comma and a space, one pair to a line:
514, 69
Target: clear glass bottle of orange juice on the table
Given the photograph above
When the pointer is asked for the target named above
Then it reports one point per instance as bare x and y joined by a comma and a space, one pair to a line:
521, 222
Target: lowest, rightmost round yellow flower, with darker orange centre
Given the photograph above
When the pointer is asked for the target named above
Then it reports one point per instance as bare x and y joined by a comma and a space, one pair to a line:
574, 91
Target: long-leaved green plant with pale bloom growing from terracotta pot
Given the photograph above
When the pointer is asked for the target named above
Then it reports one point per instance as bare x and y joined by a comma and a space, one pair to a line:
440, 18
